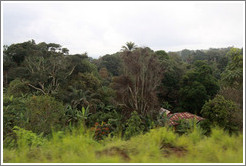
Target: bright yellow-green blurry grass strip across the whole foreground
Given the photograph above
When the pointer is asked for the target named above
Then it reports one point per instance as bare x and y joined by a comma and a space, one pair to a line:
157, 146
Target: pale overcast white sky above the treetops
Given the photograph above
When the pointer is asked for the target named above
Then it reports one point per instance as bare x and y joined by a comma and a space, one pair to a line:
101, 28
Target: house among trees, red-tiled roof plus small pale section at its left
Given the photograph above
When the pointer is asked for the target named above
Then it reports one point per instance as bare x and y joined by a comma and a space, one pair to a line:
174, 118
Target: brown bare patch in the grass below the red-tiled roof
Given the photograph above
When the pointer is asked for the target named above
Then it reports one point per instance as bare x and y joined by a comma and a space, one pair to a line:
169, 149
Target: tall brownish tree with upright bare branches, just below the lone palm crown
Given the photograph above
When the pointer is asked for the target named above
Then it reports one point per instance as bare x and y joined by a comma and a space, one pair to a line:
136, 87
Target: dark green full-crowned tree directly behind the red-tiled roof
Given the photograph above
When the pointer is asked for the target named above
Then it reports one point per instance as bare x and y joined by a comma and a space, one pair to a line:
198, 85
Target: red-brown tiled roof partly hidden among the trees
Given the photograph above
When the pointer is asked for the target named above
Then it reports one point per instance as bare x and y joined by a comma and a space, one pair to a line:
182, 115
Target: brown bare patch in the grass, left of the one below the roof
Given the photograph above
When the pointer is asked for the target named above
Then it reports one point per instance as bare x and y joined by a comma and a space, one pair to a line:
114, 151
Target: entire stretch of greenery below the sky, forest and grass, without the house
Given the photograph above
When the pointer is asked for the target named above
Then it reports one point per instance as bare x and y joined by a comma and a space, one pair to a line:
59, 107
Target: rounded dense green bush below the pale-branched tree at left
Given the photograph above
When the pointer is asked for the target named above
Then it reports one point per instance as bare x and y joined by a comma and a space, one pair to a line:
44, 113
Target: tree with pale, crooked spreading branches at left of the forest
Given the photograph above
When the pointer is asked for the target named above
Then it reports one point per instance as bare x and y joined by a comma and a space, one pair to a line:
46, 74
